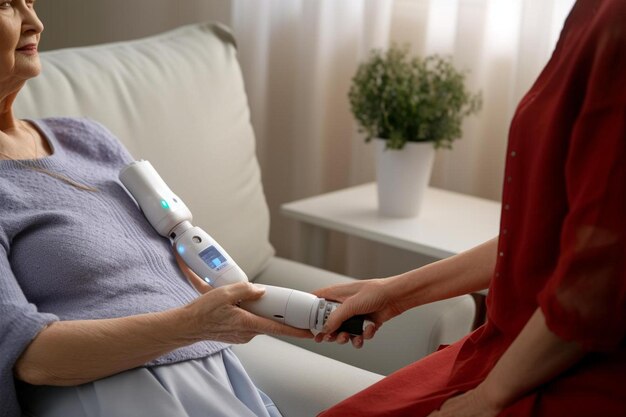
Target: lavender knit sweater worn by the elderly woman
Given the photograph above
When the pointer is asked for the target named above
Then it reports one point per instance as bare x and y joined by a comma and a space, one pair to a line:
67, 254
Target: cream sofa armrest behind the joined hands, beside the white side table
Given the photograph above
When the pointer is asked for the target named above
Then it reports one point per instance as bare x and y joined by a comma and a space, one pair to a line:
401, 341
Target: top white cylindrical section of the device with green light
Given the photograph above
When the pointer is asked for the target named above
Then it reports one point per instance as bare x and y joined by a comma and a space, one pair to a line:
163, 209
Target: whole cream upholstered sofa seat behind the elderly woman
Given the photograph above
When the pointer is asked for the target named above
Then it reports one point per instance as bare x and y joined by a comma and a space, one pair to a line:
178, 100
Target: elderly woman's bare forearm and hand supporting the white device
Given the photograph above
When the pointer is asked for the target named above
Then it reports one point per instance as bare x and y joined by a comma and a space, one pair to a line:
80, 351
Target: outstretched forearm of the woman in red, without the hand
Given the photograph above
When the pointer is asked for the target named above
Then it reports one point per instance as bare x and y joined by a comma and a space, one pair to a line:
464, 273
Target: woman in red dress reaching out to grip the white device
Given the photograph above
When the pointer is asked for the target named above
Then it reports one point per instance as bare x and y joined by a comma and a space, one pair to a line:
554, 342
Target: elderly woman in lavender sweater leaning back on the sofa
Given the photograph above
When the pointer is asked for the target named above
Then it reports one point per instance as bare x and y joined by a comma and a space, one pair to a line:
96, 317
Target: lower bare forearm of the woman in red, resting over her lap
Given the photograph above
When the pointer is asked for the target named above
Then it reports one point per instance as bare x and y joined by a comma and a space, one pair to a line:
536, 356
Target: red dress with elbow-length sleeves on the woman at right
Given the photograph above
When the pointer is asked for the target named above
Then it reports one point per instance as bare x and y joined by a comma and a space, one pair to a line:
562, 243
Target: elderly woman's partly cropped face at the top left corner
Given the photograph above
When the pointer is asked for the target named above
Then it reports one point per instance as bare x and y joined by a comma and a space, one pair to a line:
20, 29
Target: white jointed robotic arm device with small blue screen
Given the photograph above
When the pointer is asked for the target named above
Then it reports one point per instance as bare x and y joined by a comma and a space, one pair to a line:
171, 218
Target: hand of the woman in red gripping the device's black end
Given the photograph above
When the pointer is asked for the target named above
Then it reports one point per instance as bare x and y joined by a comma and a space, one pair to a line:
368, 297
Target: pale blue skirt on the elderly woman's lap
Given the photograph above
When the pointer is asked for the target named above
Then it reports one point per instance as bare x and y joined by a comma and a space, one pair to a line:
215, 386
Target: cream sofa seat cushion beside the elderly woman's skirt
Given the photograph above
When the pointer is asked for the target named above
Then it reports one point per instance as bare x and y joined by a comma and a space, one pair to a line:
300, 382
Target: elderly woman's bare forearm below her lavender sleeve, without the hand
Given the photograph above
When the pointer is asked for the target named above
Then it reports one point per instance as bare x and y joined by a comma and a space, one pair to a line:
76, 352
